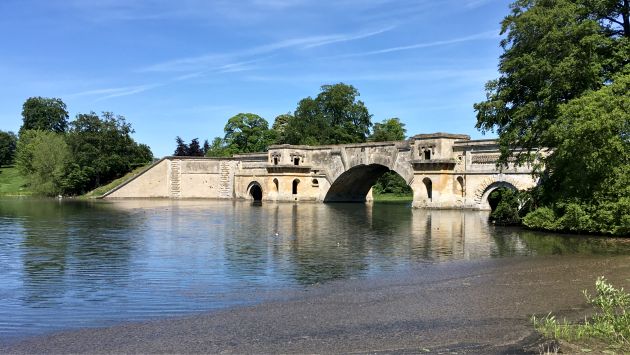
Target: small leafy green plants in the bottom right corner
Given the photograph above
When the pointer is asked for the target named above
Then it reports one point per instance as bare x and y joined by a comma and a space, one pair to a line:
610, 323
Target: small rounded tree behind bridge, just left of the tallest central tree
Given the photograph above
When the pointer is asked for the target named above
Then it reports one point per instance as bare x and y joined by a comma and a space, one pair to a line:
247, 133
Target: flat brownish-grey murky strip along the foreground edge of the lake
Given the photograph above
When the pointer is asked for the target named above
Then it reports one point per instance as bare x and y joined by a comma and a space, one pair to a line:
465, 306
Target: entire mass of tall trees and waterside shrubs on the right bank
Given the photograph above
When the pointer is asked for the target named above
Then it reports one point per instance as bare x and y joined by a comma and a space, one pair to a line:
563, 94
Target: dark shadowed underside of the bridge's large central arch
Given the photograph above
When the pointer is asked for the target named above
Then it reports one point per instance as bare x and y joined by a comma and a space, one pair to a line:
354, 184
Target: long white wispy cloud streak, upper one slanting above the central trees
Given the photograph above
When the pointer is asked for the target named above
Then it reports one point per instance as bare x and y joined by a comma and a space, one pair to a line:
218, 61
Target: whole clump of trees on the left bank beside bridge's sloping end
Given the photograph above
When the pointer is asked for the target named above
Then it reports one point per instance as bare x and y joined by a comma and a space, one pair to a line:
59, 156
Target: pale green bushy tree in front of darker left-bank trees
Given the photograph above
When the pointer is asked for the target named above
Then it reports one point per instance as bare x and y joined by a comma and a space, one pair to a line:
42, 157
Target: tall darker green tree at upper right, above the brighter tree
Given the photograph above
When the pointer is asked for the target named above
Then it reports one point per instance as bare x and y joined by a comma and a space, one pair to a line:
555, 51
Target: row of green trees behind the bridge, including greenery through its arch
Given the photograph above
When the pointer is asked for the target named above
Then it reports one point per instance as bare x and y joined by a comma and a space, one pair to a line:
334, 116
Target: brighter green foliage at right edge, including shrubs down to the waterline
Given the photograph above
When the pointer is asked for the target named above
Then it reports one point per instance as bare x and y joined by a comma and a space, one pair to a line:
587, 183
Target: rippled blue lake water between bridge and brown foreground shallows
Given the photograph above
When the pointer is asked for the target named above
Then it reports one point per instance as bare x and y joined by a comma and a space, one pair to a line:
70, 264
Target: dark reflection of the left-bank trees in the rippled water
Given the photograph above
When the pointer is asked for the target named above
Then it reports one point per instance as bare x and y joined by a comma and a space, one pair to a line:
70, 246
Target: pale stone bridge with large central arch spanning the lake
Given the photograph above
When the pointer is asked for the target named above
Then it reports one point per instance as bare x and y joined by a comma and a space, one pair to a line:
443, 170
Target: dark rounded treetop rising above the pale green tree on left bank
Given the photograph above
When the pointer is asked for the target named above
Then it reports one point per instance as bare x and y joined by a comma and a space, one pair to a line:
47, 114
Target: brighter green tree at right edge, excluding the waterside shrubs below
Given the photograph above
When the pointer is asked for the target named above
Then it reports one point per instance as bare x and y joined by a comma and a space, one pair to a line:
593, 155
